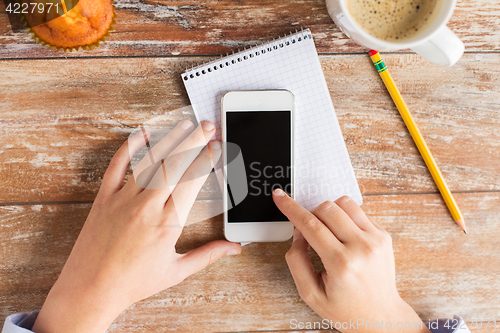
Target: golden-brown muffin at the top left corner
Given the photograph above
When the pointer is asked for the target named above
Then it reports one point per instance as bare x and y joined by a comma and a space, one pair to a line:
70, 24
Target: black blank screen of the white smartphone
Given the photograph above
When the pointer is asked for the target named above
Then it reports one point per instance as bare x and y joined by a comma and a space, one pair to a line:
265, 141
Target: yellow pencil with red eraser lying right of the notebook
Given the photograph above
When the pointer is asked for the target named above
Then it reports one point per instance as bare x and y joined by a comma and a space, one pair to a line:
419, 140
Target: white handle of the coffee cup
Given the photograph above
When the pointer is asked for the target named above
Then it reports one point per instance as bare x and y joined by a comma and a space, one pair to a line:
443, 49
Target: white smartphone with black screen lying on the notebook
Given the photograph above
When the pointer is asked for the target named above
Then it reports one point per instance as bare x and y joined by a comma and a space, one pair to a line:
257, 135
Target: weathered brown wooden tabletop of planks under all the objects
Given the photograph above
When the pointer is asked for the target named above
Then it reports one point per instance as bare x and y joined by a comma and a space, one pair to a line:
63, 115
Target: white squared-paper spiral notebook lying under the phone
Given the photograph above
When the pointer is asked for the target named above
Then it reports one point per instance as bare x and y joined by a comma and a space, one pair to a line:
323, 170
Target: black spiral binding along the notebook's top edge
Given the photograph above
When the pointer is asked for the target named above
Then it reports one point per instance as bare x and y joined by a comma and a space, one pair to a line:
246, 53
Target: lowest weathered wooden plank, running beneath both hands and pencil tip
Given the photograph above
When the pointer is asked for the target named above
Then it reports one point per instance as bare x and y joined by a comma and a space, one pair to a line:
440, 271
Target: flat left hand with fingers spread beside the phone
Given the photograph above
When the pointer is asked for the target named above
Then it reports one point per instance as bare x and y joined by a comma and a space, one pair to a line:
126, 249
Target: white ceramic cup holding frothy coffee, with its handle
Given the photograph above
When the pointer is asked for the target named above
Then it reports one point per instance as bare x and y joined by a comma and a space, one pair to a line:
436, 43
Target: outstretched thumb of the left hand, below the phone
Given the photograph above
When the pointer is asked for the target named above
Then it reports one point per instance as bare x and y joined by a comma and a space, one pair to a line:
197, 259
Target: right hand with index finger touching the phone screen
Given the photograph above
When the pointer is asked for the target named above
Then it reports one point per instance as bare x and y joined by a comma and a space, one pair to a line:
358, 285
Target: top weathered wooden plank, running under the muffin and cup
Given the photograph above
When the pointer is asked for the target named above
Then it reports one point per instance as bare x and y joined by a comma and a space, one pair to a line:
176, 27
